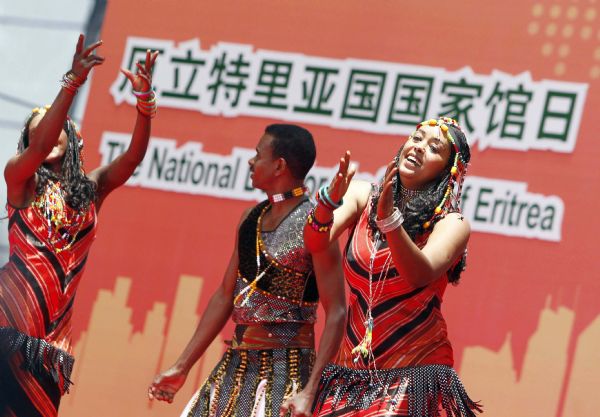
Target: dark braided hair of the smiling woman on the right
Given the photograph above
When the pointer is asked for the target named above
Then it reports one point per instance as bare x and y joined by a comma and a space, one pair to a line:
418, 210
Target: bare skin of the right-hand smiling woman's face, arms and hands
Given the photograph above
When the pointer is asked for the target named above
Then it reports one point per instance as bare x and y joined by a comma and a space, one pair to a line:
424, 156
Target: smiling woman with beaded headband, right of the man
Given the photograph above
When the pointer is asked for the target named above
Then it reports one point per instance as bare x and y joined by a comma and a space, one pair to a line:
407, 241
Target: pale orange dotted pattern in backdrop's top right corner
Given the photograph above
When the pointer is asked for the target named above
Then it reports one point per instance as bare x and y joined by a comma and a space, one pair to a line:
562, 24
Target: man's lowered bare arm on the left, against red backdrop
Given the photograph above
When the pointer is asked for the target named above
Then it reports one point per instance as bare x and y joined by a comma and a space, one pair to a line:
166, 384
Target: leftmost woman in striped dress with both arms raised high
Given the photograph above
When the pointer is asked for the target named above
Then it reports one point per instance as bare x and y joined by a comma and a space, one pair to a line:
52, 206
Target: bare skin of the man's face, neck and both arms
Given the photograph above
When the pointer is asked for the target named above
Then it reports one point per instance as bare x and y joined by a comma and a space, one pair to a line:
272, 175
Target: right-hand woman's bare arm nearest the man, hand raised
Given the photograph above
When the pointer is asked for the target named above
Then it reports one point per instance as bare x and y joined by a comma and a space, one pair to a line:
355, 195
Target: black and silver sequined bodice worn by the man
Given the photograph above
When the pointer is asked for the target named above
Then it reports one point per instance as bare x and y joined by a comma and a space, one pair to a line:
281, 286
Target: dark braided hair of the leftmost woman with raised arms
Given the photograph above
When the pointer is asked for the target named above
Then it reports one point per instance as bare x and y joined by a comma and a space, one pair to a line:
79, 190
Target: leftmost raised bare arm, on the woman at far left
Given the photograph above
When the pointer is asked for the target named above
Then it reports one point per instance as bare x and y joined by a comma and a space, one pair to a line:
45, 131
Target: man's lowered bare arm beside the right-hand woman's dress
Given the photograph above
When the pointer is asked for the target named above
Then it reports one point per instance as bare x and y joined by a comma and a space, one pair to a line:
330, 282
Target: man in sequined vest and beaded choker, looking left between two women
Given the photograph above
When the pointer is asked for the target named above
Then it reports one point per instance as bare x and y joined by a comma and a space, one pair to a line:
271, 288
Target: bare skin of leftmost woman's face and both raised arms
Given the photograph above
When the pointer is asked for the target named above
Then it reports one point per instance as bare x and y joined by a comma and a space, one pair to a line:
47, 139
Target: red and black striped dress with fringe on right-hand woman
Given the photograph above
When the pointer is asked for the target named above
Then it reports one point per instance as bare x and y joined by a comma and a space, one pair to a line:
408, 371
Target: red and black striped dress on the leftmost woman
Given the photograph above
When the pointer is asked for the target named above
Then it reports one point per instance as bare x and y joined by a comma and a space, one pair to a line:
37, 290
